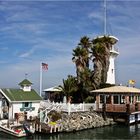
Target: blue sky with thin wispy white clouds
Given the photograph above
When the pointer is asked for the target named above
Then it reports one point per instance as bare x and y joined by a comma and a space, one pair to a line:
36, 31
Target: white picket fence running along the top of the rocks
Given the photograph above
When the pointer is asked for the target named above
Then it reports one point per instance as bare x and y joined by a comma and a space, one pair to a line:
67, 107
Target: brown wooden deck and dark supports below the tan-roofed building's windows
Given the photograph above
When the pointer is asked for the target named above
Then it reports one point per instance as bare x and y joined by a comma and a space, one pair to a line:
124, 113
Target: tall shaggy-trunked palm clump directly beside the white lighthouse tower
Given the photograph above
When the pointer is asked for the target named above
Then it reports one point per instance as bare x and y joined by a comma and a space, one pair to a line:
101, 52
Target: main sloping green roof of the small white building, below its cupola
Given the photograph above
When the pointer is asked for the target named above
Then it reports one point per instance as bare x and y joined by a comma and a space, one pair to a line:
20, 95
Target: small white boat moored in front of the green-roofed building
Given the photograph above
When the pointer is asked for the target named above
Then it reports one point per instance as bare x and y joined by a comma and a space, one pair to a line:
17, 130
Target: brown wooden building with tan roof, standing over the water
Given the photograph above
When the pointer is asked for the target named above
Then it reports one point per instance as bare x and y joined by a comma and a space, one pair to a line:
119, 101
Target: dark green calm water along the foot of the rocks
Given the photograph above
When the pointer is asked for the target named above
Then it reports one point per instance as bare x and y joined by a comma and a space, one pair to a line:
108, 132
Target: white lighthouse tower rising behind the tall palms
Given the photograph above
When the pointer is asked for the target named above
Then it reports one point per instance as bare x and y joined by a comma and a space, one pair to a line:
113, 54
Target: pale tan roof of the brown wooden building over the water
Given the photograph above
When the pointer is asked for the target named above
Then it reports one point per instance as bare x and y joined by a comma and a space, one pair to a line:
117, 89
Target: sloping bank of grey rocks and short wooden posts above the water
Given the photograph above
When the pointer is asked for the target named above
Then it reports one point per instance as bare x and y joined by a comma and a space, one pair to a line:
77, 121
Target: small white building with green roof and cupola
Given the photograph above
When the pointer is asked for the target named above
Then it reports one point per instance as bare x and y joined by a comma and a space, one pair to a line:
21, 101
